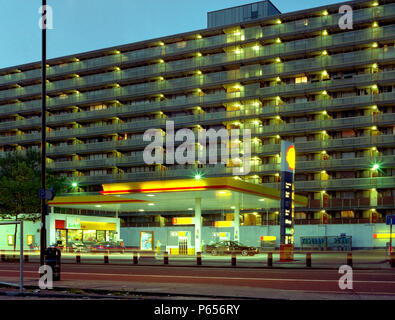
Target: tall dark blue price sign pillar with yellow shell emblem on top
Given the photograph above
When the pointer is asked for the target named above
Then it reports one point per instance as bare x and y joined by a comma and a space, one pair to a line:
288, 157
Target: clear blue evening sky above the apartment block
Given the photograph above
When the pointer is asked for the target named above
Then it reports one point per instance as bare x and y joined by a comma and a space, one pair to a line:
85, 25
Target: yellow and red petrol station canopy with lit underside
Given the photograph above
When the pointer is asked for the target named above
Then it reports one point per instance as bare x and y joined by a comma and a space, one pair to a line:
176, 195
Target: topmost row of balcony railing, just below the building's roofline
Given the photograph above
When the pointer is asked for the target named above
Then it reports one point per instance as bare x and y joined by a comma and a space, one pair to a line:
267, 32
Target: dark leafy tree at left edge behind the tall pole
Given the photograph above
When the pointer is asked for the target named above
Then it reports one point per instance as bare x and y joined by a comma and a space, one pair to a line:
20, 181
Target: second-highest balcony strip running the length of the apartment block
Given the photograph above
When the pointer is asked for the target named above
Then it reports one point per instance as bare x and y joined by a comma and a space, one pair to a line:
266, 52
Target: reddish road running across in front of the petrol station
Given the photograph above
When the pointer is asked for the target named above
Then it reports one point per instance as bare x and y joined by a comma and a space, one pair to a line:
225, 282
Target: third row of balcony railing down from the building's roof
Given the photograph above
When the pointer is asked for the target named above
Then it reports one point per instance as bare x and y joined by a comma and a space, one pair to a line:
269, 71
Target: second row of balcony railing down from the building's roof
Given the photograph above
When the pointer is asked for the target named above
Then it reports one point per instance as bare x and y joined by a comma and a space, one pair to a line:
312, 44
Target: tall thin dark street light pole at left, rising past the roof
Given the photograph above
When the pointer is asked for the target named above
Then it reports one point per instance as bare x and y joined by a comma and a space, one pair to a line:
43, 234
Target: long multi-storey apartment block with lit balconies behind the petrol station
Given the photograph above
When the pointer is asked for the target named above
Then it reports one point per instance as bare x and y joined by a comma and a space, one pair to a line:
295, 76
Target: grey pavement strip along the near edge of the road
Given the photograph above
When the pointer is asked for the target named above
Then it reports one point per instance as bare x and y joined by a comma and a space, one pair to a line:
172, 291
